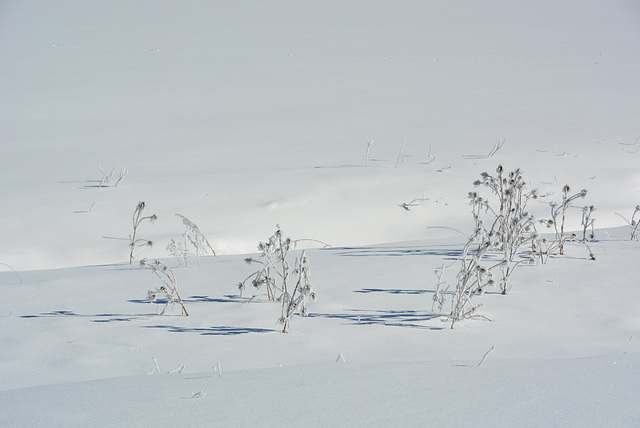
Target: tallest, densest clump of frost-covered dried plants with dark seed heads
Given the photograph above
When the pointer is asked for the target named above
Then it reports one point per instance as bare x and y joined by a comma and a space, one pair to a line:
504, 237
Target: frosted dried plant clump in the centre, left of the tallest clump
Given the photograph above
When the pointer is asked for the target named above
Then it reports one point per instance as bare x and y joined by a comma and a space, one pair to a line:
289, 286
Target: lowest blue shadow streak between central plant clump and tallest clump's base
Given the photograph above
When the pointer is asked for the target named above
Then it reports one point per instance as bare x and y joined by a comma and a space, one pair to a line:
387, 318
